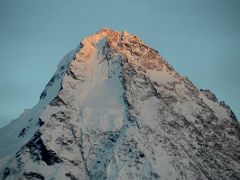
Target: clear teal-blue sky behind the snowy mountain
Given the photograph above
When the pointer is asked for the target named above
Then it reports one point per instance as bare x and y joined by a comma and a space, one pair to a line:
200, 39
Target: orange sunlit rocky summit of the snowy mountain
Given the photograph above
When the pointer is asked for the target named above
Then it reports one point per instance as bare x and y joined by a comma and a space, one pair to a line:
131, 47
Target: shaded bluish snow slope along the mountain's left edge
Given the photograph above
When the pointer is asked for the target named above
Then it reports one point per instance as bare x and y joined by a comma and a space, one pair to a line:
21, 130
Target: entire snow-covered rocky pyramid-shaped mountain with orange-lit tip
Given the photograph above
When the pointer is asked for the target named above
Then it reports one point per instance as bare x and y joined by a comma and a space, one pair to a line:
115, 109
